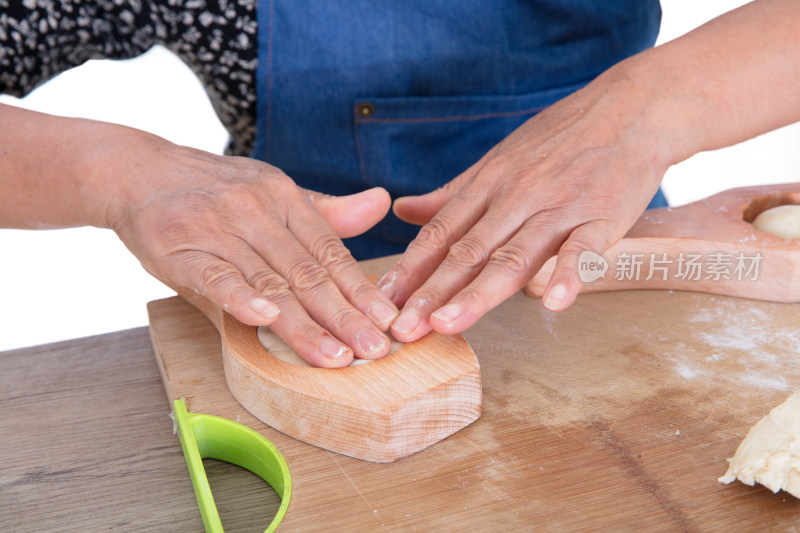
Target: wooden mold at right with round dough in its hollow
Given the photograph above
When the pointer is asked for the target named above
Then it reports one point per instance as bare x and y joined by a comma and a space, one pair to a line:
707, 246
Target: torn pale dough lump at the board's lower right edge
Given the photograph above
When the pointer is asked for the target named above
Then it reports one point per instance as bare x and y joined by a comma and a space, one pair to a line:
770, 454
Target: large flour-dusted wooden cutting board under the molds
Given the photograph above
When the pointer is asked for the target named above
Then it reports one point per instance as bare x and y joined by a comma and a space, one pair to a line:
618, 413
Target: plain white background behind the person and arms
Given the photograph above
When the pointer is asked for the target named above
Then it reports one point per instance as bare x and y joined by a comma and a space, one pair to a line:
71, 283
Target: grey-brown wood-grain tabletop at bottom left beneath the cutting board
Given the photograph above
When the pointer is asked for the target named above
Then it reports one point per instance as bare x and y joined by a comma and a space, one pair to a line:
87, 445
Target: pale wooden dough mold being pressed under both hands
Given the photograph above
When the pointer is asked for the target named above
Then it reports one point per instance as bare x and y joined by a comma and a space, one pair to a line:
381, 412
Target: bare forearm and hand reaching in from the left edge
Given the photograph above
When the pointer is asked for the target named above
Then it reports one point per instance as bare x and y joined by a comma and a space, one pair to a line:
237, 231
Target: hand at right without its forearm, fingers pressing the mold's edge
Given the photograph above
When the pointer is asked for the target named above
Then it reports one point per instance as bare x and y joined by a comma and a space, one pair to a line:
573, 178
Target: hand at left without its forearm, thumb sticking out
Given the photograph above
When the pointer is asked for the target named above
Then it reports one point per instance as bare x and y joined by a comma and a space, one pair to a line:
243, 234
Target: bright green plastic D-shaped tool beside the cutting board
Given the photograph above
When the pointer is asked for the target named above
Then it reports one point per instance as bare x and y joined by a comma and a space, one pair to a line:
213, 437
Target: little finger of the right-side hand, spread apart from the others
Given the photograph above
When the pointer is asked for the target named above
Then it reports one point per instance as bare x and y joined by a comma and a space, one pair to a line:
565, 283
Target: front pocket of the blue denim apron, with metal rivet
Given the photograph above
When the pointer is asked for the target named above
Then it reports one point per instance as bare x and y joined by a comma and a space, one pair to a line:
411, 146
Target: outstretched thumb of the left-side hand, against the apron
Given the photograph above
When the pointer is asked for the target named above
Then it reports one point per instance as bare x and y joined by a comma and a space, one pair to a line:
353, 214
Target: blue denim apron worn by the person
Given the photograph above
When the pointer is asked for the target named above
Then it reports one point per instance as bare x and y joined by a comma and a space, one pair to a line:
407, 94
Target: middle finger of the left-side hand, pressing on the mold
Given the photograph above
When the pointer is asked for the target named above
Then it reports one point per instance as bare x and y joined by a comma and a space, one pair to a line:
312, 285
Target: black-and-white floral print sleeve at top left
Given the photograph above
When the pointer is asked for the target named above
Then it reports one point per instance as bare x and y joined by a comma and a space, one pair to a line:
216, 38
